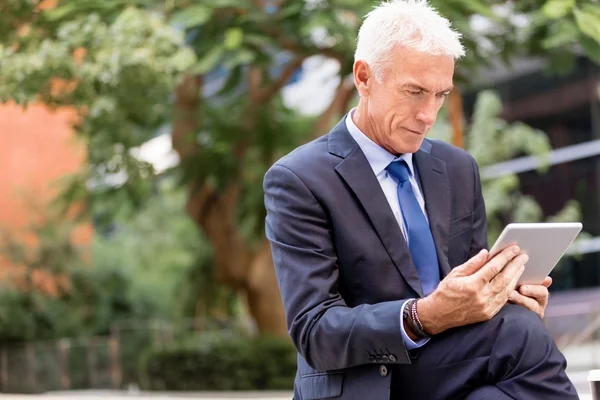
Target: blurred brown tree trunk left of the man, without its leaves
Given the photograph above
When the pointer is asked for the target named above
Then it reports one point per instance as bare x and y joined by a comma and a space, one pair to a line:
248, 271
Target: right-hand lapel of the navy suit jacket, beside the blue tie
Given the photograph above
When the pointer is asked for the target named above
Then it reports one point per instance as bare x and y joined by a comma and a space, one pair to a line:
436, 191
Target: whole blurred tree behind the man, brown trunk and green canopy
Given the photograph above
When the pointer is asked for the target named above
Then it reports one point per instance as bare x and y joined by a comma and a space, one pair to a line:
117, 63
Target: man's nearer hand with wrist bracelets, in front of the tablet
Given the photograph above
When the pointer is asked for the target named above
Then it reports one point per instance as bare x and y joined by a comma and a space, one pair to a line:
472, 292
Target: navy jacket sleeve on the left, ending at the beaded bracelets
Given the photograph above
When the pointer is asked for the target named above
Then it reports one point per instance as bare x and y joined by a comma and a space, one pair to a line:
325, 331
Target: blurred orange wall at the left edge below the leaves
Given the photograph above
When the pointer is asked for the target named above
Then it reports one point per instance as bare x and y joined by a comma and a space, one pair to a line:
37, 146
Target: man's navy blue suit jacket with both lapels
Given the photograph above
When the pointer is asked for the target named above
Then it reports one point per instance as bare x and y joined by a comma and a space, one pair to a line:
343, 266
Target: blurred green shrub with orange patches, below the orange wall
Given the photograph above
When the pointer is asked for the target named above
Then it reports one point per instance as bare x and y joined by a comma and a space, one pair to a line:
78, 299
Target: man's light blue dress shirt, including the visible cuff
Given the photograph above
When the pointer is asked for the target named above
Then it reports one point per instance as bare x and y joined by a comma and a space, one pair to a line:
379, 159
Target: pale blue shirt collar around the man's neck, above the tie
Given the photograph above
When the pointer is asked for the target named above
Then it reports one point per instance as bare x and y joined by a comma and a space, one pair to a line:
378, 157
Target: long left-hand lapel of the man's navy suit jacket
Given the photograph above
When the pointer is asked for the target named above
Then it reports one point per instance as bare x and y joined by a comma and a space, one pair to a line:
357, 173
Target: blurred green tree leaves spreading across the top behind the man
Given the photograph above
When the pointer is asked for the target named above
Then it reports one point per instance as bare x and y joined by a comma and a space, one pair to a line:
136, 51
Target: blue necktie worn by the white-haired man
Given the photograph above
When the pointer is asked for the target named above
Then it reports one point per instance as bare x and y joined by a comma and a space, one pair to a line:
420, 240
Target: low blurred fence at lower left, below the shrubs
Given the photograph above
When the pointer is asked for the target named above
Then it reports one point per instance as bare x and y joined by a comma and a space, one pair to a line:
106, 362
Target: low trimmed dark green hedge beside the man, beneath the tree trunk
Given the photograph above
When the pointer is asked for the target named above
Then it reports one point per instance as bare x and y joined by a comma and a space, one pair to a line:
221, 363
